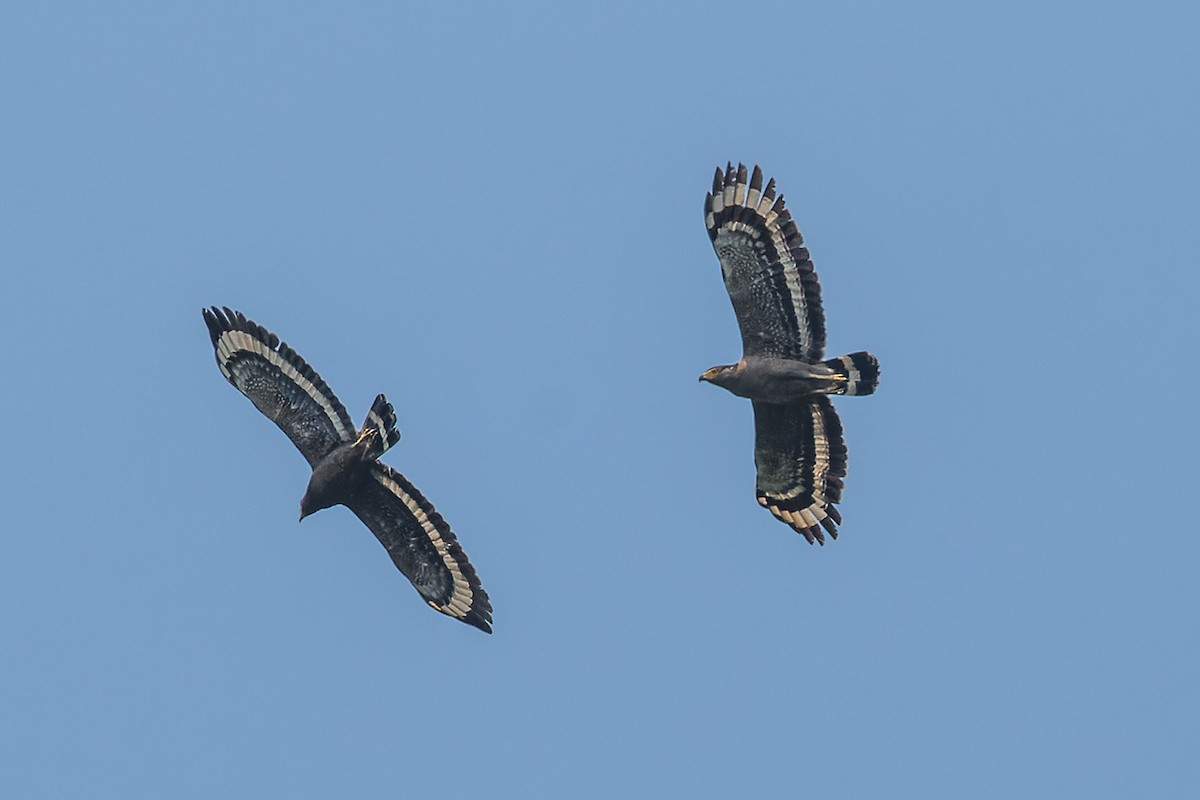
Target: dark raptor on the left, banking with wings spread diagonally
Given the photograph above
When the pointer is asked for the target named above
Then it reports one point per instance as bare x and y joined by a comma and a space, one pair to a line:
345, 464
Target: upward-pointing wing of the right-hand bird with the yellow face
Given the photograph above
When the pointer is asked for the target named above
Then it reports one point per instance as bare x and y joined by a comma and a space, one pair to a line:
775, 290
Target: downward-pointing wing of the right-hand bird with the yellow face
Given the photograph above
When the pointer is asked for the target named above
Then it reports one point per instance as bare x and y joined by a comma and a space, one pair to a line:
801, 456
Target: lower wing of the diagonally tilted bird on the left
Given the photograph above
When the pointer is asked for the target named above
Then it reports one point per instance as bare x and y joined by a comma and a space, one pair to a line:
423, 546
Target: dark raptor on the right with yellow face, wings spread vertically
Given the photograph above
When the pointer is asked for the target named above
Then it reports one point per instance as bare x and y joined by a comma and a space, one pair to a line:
800, 452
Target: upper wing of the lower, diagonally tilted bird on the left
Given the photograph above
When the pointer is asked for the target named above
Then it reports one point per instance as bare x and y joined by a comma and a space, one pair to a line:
279, 383
